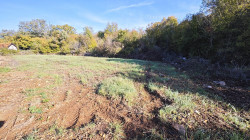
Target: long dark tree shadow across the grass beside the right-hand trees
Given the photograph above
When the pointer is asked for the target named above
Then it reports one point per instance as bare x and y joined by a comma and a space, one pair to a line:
184, 82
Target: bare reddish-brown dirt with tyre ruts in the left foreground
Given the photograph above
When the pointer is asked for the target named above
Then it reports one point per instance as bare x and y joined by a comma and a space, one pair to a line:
71, 106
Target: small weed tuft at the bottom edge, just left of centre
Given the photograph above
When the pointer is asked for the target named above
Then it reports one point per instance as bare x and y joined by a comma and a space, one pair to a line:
116, 131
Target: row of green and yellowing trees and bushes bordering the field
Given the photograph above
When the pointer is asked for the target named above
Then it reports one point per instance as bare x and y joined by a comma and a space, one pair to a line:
220, 32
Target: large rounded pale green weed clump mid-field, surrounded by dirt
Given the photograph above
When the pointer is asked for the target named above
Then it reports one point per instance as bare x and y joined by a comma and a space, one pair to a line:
116, 87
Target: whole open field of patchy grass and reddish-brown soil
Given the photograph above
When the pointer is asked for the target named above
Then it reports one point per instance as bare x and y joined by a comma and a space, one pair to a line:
75, 97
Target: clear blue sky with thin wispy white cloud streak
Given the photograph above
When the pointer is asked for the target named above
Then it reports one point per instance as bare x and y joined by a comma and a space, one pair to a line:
94, 13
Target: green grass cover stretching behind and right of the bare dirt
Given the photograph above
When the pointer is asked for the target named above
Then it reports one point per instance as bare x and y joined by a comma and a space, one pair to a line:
187, 103
